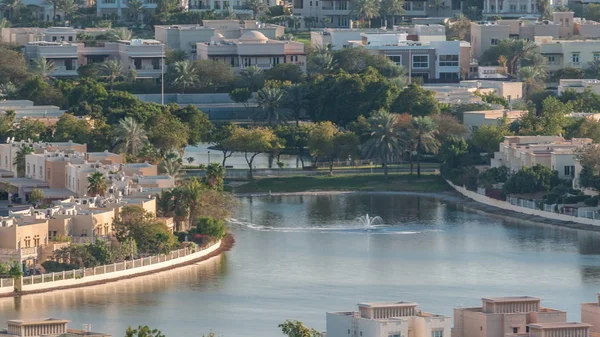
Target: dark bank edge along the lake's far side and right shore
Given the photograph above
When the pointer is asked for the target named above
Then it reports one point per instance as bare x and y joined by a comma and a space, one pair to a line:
450, 196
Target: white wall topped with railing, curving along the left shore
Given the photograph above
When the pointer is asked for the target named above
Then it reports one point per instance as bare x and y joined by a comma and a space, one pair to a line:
82, 277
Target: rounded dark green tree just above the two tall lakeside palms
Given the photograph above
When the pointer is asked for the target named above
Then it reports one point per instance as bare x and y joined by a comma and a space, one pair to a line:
416, 101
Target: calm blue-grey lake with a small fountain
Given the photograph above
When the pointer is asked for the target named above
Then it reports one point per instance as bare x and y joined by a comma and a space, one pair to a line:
300, 256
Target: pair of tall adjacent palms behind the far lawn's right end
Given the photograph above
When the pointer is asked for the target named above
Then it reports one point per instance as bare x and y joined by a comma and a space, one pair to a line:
391, 137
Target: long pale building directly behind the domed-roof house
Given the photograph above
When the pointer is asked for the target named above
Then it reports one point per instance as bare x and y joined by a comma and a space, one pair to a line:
185, 37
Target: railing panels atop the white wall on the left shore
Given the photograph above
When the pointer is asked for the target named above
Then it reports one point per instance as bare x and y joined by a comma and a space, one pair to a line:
104, 269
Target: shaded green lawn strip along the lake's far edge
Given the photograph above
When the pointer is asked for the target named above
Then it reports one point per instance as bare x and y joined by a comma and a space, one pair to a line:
347, 182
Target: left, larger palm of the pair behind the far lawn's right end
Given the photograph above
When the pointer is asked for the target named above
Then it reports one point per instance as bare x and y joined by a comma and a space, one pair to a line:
386, 141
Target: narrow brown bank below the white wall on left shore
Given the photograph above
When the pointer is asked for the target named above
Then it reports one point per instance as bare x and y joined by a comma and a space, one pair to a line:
226, 244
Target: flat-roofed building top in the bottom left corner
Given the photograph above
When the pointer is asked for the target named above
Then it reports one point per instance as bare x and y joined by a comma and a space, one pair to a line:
47, 327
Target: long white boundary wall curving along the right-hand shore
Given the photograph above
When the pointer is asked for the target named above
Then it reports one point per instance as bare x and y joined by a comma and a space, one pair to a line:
507, 206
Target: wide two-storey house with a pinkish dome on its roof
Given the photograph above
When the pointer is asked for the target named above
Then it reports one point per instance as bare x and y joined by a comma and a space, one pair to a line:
252, 49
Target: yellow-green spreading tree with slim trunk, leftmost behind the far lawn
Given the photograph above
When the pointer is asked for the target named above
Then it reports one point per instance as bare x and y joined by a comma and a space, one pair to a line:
253, 142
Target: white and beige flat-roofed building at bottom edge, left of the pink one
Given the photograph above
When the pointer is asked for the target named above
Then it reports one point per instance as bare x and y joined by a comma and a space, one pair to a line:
384, 319
